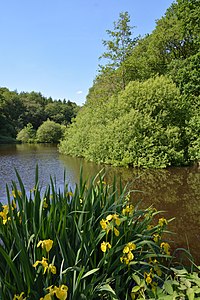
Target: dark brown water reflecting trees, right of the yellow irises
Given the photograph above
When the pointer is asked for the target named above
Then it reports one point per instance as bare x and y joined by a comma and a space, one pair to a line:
176, 191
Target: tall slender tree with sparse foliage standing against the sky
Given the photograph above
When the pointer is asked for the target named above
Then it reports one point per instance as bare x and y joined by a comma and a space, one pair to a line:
119, 47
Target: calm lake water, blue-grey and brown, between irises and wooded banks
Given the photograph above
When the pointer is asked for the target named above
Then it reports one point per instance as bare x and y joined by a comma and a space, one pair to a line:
175, 190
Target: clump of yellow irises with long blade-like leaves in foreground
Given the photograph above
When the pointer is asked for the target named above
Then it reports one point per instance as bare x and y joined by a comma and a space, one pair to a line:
88, 243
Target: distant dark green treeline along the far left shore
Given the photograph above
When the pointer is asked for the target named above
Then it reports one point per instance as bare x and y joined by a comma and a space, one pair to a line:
26, 112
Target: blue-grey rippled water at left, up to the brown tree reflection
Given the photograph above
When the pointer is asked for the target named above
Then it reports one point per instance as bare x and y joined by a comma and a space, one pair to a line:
25, 158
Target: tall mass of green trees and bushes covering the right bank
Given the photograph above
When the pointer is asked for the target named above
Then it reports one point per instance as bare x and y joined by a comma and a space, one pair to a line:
143, 109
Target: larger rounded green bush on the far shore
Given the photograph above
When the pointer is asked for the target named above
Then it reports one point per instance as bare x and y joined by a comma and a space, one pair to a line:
49, 132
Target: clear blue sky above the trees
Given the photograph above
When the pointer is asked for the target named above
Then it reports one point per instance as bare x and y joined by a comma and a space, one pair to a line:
52, 46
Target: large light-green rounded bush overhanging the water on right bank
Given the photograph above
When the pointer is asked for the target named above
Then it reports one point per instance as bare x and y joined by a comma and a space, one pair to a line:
146, 125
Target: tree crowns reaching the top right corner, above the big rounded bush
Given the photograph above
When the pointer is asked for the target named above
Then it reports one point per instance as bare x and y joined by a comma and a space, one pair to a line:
174, 39
